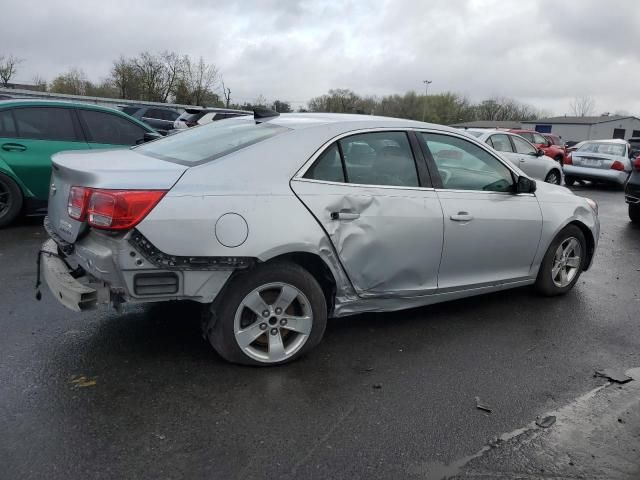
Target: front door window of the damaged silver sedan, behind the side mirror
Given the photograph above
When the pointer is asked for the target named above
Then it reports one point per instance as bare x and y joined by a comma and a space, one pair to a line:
463, 165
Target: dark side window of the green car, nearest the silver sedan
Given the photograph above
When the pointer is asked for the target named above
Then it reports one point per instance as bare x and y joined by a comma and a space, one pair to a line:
107, 128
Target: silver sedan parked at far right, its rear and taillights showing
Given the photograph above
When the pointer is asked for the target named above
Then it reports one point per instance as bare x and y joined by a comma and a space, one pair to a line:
604, 161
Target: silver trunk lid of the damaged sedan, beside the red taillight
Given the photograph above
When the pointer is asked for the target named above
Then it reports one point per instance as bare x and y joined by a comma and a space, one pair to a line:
111, 169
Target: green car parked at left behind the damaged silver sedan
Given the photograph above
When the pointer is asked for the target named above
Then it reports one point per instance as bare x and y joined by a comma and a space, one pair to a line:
33, 130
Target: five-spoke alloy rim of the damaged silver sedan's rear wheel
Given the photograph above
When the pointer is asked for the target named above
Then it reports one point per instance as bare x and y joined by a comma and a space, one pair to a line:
273, 322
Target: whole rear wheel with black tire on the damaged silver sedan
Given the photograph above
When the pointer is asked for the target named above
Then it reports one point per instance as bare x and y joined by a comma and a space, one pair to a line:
270, 315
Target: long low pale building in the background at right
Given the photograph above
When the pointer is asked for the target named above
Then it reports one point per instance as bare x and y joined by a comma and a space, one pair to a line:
587, 128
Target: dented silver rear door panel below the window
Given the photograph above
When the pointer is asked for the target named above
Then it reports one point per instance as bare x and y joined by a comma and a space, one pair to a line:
389, 239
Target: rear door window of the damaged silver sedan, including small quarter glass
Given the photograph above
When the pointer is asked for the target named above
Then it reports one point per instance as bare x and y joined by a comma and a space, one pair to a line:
381, 158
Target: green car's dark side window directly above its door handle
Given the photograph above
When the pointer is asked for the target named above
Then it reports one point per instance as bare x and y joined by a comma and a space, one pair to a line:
45, 123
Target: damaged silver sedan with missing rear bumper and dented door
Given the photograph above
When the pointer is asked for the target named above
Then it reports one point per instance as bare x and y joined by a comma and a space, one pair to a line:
276, 222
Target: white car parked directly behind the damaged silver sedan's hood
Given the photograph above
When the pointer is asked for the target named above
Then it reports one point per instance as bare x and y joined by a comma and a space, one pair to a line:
521, 153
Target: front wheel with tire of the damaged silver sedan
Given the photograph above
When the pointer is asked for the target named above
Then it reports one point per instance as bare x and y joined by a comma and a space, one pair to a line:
563, 262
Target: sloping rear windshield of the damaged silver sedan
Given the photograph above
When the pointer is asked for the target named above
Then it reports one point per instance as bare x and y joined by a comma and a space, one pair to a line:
205, 143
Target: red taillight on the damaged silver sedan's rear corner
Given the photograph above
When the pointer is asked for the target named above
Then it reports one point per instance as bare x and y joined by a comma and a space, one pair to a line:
112, 209
